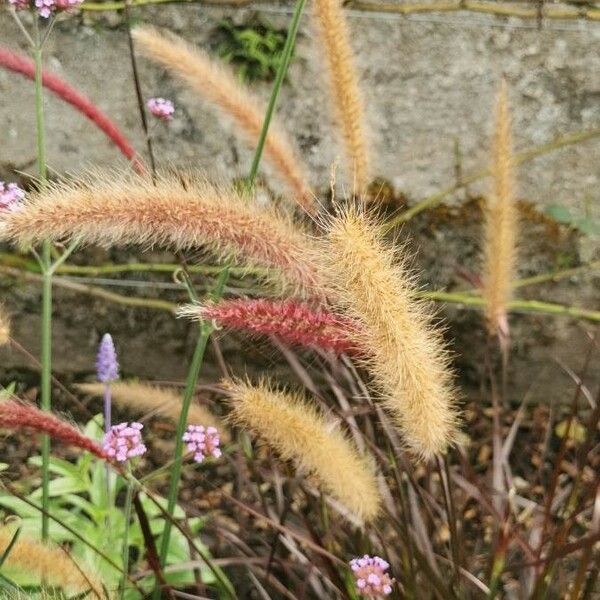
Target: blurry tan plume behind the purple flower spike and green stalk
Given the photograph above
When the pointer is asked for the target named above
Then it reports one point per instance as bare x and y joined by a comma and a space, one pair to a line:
145, 398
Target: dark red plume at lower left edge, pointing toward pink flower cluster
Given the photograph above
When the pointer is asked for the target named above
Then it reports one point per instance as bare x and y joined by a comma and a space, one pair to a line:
17, 415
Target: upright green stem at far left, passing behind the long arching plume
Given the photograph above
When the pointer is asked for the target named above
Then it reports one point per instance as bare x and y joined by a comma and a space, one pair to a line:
46, 259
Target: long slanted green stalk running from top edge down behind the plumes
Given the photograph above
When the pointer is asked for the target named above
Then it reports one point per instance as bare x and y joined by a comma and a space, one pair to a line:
205, 328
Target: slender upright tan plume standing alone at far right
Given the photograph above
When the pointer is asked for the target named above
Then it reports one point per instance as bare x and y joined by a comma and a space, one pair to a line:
500, 225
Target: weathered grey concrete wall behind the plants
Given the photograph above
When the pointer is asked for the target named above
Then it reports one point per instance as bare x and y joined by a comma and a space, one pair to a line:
425, 84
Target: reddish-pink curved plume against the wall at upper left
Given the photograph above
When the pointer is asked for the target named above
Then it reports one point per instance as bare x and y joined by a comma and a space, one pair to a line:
19, 64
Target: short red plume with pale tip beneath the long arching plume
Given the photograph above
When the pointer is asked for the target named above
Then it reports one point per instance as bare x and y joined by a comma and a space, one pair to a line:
293, 322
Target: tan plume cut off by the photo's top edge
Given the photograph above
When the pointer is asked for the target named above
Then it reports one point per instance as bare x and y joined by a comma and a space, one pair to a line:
332, 29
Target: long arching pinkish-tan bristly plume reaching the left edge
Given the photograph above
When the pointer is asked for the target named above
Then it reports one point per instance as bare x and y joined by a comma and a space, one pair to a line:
133, 209
